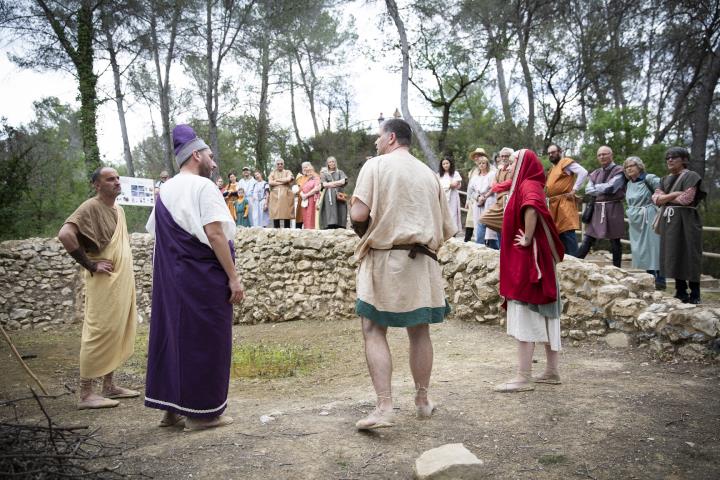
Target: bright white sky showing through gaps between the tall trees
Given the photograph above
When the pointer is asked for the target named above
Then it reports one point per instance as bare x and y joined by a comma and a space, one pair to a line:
374, 87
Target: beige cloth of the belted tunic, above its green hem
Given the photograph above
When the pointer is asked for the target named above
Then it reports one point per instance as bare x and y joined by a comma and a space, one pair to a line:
407, 206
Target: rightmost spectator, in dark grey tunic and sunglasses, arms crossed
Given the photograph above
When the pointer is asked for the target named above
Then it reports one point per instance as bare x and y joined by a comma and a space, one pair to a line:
680, 226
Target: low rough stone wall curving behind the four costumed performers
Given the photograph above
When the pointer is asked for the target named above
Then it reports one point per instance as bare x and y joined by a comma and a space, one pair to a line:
292, 275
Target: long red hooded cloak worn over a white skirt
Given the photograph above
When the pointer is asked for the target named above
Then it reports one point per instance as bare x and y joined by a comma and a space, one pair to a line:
527, 274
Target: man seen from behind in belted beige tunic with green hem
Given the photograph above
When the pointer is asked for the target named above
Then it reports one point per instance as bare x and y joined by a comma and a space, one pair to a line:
399, 209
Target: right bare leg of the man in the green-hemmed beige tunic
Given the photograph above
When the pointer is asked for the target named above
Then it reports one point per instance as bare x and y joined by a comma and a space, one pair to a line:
421, 360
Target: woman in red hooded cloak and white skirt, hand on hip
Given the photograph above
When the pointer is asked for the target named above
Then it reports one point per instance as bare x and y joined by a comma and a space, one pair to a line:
530, 249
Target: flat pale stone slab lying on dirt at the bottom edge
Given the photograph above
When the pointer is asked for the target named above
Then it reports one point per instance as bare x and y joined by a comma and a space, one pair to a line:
448, 462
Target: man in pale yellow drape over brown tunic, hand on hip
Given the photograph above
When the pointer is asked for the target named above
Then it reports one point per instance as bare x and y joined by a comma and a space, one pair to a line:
96, 236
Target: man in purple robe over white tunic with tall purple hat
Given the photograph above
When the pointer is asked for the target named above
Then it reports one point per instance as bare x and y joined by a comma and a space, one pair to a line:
194, 287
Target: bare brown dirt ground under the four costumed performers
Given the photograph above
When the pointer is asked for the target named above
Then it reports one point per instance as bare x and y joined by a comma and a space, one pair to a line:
618, 415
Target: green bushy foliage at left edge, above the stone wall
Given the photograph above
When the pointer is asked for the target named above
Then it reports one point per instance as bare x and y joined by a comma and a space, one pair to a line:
43, 172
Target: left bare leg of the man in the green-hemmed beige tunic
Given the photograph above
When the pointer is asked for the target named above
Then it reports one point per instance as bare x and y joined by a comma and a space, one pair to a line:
379, 360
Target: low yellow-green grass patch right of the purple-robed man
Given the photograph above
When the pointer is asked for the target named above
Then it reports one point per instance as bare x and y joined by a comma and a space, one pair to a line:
260, 360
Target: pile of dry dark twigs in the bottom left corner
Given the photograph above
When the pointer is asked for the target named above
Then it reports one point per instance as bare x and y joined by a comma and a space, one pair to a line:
53, 451
